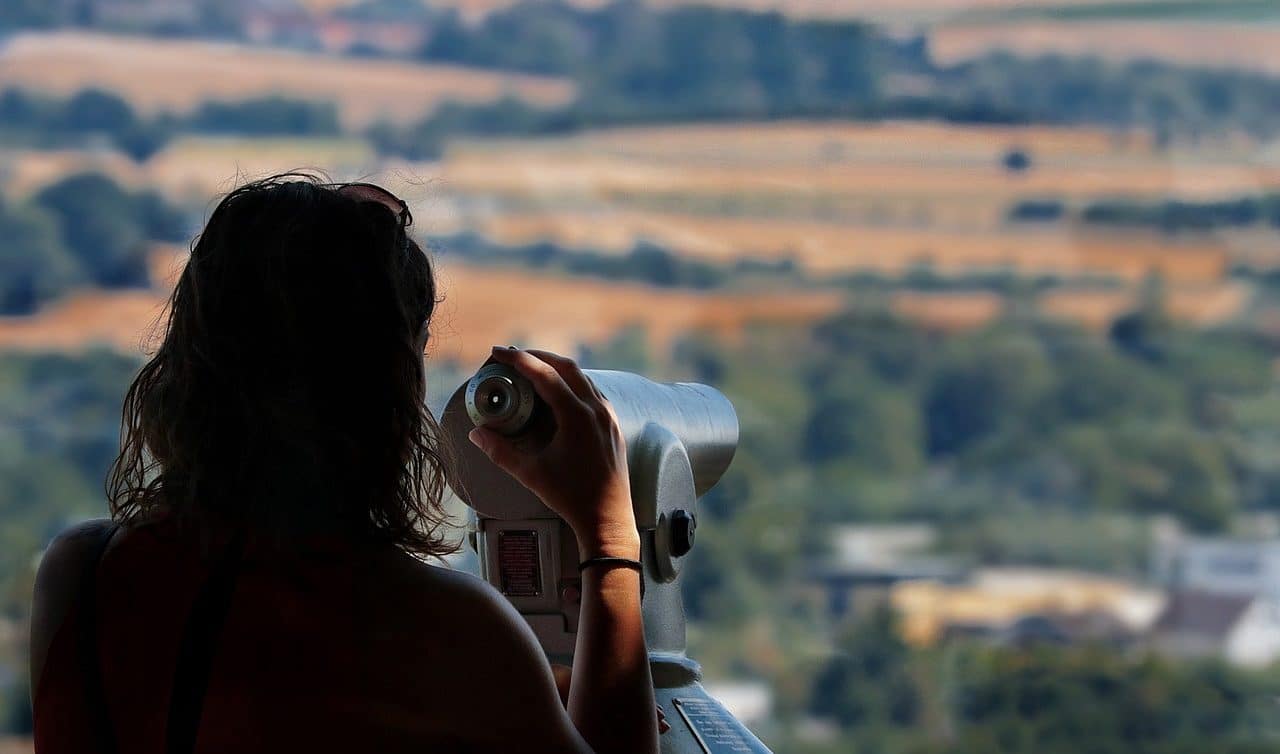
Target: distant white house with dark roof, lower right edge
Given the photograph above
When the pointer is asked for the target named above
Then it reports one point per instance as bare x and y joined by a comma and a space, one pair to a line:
1242, 629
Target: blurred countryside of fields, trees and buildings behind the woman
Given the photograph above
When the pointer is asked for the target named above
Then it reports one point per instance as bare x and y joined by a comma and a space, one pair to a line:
994, 285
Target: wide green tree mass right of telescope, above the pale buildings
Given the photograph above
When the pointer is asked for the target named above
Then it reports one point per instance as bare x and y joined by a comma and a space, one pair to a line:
871, 418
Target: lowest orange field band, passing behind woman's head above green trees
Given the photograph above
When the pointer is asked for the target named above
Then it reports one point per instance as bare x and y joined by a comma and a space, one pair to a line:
564, 313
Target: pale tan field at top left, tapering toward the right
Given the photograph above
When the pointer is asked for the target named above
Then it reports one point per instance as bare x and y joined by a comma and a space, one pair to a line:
168, 75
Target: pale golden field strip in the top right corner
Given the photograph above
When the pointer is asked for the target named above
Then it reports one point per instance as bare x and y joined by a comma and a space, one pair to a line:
1217, 44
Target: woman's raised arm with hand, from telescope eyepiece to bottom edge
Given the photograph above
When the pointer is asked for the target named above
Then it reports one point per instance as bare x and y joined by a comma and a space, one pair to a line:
583, 476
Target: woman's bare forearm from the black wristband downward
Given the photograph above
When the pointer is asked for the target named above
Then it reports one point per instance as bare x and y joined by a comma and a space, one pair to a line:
611, 697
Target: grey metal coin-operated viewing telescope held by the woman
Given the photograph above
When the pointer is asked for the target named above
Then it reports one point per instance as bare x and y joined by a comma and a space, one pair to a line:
680, 441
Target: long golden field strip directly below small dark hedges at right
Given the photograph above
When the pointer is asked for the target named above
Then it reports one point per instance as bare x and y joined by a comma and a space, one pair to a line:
842, 249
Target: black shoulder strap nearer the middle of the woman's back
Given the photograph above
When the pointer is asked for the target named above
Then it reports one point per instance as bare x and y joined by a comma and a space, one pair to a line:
198, 648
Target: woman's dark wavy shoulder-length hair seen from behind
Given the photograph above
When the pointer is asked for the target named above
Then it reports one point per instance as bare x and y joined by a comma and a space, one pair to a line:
289, 392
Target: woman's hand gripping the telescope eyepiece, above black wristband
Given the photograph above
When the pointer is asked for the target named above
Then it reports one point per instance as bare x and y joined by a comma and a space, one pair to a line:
583, 473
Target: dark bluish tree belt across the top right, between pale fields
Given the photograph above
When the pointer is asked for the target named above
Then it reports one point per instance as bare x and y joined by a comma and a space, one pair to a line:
637, 65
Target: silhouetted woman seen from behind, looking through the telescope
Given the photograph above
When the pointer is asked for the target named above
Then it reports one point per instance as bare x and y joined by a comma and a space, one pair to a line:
262, 584
